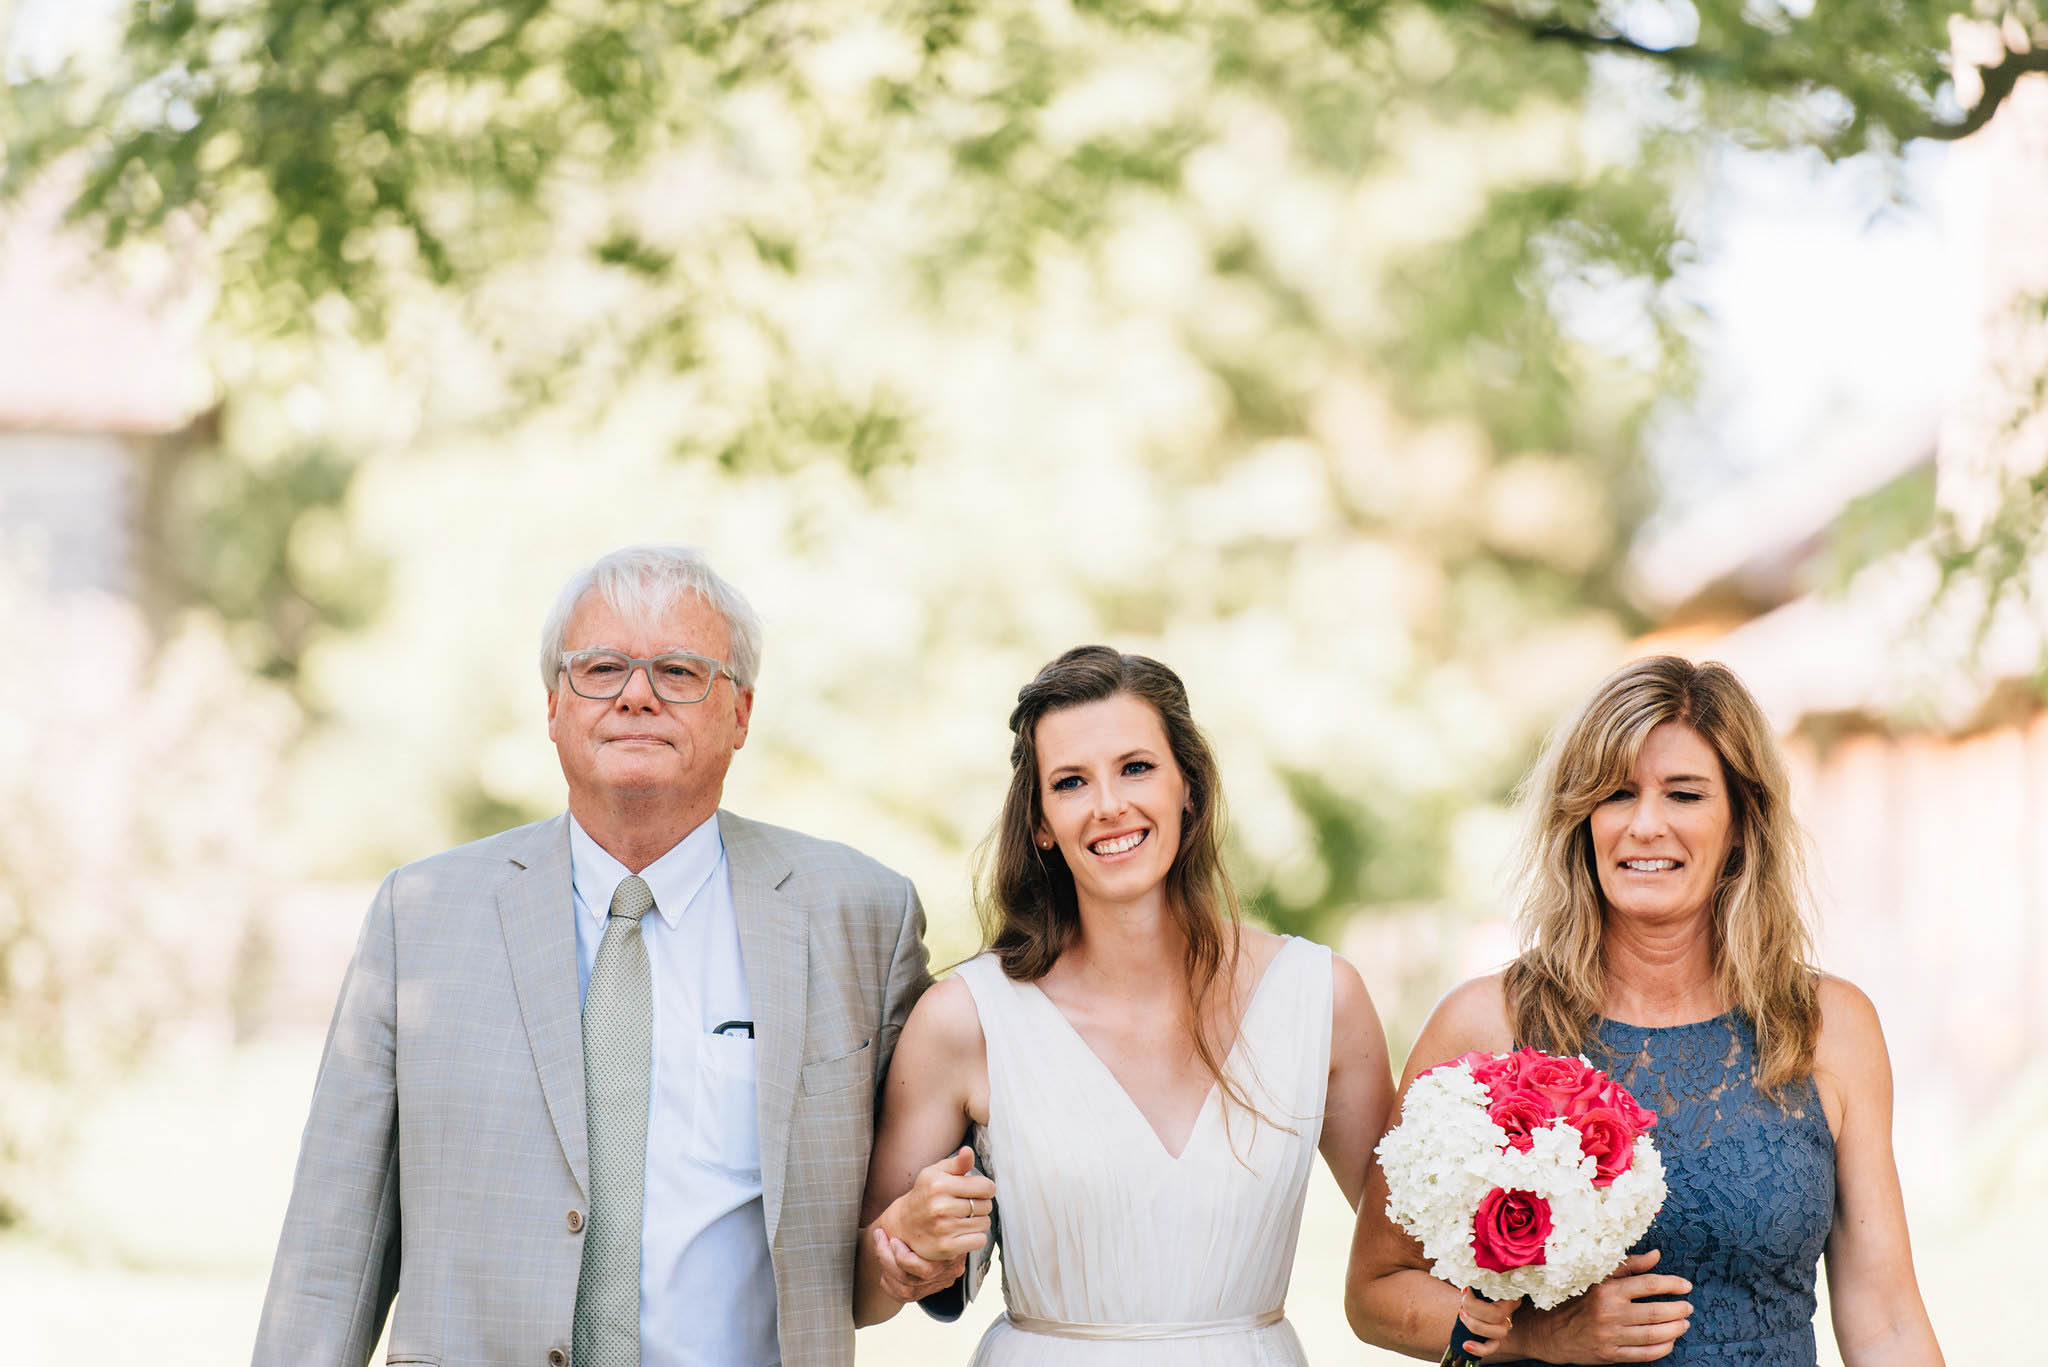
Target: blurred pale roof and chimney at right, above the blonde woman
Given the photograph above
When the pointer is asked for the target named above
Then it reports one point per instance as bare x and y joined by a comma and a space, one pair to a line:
1893, 645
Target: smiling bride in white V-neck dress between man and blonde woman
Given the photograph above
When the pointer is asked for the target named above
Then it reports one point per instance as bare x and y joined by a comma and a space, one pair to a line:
1148, 1077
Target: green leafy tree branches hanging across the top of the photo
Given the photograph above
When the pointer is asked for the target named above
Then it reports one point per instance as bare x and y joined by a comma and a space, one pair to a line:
335, 155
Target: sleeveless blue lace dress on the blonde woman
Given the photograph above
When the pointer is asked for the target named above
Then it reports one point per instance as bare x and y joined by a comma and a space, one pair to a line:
1752, 1188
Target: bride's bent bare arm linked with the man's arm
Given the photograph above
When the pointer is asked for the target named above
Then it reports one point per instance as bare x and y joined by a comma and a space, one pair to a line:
923, 1212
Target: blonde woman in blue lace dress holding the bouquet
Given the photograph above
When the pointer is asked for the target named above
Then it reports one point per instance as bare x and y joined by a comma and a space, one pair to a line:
1666, 940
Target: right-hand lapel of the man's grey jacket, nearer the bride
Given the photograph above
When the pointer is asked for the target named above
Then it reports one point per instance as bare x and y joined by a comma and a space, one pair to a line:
775, 944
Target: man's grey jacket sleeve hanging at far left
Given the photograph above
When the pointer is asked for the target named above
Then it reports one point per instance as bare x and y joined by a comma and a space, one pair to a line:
337, 1261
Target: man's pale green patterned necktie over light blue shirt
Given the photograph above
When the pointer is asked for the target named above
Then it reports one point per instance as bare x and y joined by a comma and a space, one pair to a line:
617, 1063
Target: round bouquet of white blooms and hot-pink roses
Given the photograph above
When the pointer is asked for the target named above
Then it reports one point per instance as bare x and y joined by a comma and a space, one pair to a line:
1523, 1175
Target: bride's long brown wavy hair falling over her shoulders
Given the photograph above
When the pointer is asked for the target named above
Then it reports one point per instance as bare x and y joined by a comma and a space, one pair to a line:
1025, 897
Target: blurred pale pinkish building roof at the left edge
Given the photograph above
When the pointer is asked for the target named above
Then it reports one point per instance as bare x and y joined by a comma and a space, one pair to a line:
83, 351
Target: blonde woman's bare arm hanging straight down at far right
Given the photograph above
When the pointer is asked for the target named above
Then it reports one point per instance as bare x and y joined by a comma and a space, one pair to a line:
1871, 1288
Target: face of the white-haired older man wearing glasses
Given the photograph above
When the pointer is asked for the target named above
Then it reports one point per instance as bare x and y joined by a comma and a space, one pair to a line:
638, 747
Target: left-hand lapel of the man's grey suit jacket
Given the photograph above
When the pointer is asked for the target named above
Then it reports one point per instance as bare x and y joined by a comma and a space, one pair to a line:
538, 913
